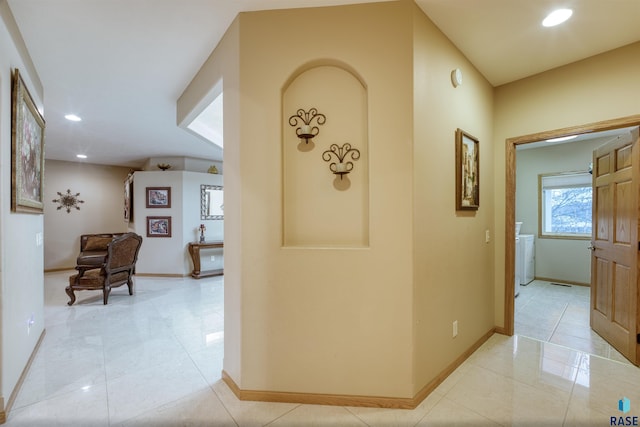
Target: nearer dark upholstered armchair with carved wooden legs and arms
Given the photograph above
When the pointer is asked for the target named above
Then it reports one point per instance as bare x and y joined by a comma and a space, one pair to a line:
117, 269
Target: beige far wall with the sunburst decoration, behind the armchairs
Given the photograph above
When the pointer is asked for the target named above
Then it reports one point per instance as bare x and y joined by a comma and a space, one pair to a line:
102, 190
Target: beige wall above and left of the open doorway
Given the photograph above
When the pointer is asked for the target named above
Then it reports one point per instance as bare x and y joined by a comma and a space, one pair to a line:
600, 88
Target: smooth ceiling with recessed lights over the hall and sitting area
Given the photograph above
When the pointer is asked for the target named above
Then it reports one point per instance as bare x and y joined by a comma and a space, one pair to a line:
122, 64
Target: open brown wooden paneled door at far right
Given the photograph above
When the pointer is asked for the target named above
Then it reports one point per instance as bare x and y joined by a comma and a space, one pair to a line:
615, 245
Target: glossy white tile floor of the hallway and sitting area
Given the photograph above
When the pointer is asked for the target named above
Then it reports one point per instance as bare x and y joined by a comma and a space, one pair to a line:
155, 360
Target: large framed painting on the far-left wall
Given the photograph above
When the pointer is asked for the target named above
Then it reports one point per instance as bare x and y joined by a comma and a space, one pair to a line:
27, 150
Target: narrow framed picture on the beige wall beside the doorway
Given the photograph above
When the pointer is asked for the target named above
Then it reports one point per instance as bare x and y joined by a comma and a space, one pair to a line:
467, 171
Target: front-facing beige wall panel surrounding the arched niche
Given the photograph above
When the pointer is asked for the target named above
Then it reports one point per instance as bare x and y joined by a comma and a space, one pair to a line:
325, 320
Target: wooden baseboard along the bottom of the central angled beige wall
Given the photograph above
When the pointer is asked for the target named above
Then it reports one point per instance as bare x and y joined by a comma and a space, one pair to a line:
354, 400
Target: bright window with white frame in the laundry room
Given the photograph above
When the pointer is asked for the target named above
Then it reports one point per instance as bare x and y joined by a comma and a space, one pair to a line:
565, 205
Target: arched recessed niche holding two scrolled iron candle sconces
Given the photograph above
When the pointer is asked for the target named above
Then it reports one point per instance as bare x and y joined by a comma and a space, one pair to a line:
320, 208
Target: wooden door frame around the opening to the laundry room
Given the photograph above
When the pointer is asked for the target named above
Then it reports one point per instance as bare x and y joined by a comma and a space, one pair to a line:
510, 198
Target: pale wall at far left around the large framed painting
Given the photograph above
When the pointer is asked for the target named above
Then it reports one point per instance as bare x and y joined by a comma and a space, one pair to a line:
21, 250
